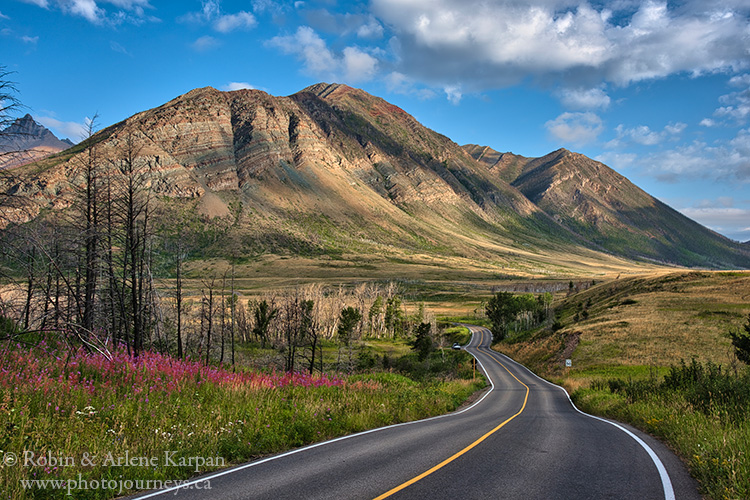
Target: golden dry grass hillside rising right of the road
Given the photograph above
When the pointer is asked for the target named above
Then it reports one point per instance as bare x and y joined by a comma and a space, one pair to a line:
632, 325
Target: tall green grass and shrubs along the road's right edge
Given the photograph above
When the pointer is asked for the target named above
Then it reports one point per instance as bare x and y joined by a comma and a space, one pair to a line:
700, 409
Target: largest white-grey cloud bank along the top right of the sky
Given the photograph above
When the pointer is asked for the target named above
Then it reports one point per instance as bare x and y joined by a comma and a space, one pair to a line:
578, 43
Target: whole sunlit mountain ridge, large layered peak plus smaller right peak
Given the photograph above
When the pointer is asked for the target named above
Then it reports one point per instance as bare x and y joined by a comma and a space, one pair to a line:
332, 172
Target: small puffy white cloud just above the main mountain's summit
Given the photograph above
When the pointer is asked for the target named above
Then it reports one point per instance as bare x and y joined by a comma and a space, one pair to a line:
353, 64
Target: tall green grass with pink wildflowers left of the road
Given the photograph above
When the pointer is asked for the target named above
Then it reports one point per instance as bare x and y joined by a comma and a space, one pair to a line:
81, 405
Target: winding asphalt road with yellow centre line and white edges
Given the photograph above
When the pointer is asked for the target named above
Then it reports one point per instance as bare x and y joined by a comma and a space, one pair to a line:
523, 440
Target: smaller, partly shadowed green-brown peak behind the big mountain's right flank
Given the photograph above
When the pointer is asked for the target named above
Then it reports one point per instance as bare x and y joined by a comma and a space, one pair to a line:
601, 205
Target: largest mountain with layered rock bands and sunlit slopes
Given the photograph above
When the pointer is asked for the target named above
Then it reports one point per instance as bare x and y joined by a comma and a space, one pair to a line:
329, 168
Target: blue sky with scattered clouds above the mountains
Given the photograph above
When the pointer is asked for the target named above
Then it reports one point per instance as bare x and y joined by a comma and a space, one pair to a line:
660, 91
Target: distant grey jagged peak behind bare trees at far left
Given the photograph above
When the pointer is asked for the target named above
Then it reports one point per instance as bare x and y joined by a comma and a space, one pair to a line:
25, 141
